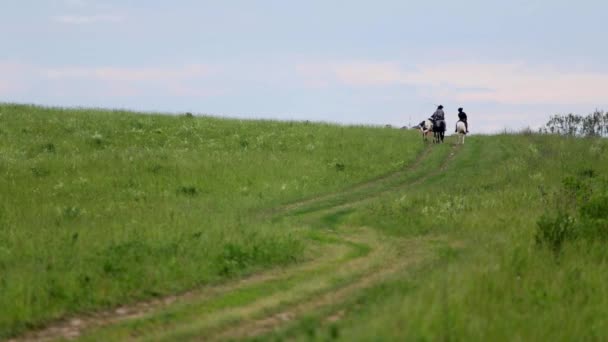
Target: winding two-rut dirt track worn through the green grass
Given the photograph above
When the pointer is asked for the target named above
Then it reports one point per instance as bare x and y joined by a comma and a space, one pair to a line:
341, 269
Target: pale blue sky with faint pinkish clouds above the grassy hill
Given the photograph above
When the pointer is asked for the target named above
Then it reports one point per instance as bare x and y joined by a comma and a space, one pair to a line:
509, 64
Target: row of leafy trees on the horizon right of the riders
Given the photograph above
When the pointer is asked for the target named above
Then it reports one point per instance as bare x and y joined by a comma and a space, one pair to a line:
591, 125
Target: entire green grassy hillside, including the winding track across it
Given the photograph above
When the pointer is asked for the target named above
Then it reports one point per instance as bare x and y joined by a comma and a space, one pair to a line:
277, 230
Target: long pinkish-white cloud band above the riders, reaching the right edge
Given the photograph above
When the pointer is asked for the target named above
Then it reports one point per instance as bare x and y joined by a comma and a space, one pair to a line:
510, 83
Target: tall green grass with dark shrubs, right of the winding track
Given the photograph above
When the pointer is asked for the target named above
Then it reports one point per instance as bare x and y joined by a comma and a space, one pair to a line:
497, 282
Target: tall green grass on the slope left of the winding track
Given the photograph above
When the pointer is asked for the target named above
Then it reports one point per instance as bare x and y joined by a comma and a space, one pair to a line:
99, 208
